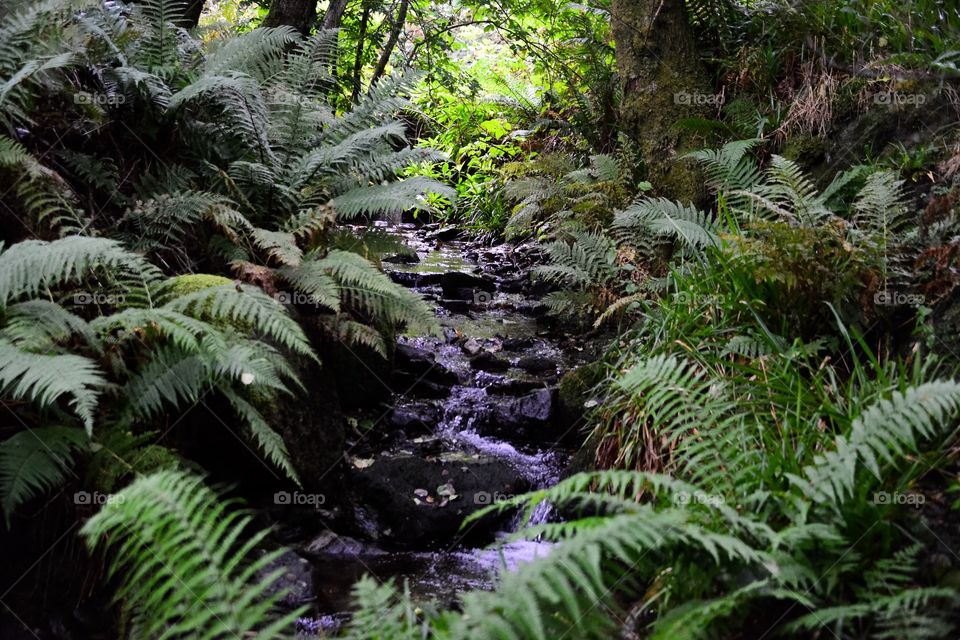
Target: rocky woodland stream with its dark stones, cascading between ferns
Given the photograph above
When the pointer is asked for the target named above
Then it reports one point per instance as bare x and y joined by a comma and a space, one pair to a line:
474, 420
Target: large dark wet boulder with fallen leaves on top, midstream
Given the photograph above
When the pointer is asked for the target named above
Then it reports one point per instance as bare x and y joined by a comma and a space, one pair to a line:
423, 501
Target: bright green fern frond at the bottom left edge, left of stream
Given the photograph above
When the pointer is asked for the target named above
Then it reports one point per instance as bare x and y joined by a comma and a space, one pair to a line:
187, 562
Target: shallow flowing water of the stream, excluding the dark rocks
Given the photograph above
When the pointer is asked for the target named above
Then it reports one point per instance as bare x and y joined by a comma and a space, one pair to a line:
440, 575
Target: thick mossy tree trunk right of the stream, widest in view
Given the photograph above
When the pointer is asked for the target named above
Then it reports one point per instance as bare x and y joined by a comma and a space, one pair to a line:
663, 81
